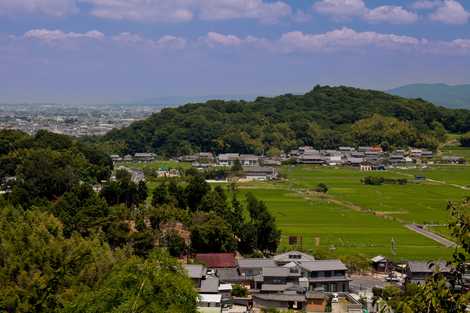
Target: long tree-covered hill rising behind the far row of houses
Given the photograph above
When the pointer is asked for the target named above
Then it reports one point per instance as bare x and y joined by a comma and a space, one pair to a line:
325, 117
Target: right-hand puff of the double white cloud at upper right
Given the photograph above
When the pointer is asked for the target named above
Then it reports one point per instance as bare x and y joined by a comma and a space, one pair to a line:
391, 14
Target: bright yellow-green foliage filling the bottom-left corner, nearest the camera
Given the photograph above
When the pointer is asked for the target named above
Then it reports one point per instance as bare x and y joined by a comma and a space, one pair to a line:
43, 271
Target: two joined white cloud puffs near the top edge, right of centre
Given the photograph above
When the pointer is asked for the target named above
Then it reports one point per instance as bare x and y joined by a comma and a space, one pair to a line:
341, 9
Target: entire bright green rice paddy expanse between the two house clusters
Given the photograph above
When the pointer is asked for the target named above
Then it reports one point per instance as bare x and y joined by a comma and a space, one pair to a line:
357, 219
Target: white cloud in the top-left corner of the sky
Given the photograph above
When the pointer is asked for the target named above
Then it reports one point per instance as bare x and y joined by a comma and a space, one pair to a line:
48, 7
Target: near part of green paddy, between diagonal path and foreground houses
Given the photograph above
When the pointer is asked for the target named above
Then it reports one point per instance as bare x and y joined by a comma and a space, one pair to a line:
347, 231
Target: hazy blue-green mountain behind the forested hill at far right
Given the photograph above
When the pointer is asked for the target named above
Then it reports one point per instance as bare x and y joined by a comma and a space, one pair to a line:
451, 96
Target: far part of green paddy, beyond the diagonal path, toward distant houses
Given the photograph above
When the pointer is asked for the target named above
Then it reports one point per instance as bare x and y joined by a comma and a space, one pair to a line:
416, 202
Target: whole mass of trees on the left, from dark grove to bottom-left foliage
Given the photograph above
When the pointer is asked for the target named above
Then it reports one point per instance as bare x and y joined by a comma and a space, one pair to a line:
76, 238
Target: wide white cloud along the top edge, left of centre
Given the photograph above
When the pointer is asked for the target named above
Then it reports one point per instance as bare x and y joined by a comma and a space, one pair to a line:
186, 10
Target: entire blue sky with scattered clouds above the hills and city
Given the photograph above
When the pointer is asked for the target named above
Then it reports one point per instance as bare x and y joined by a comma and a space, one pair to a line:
101, 51
